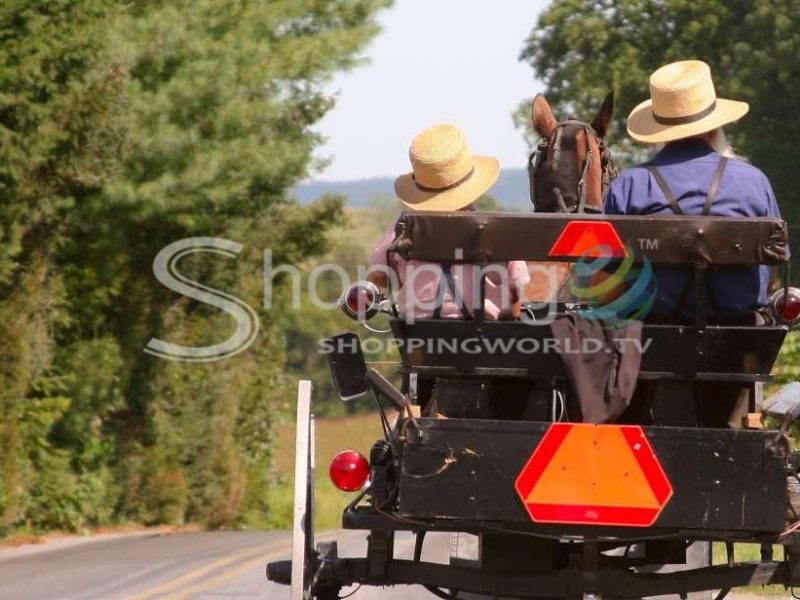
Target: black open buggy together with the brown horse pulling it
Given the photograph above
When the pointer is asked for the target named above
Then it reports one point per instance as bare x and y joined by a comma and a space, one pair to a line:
584, 448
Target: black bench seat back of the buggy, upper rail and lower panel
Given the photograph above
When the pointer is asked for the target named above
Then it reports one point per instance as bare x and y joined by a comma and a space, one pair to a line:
458, 347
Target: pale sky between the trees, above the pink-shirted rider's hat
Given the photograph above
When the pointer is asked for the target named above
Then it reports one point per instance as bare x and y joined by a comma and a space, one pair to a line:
453, 61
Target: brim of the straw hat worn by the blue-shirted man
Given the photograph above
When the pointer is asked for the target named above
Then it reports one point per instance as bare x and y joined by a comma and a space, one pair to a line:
643, 127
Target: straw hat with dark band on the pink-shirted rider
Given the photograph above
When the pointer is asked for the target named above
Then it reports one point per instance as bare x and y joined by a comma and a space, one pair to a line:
445, 174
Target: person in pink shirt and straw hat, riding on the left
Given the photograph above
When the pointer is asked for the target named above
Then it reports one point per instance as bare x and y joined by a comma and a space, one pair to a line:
446, 177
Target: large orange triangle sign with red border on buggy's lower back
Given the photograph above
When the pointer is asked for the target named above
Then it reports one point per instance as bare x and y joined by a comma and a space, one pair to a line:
594, 475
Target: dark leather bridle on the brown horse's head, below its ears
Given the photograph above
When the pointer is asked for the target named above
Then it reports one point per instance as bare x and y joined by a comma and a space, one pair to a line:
550, 167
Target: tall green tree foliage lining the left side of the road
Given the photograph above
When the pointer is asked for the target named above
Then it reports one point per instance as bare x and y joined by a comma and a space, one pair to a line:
124, 127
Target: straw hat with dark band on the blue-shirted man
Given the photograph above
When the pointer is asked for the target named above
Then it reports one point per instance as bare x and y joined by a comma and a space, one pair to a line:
682, 104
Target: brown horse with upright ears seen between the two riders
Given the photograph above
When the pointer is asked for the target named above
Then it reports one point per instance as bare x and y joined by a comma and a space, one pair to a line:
570, 171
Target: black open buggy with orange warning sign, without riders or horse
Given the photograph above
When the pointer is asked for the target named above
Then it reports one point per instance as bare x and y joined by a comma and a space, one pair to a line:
541, 507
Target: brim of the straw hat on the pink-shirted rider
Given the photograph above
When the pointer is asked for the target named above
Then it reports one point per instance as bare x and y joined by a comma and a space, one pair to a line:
487, 171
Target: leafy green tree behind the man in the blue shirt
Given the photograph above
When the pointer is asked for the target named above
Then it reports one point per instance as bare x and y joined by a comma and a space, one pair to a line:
583, 48
